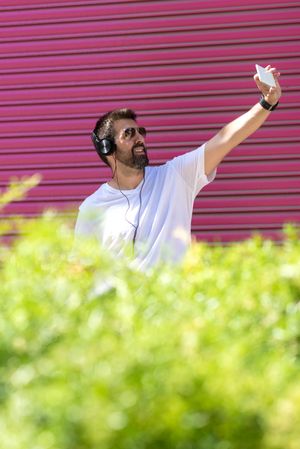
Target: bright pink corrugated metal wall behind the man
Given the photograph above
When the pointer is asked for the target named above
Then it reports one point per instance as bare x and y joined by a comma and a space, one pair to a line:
185, 66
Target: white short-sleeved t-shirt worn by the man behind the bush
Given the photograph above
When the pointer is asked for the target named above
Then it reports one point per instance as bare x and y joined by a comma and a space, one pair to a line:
166, 207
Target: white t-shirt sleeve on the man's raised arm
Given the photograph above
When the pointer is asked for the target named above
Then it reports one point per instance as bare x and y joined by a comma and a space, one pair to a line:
191, 168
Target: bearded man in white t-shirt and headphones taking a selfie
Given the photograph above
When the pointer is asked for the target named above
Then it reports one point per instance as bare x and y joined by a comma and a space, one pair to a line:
151, 208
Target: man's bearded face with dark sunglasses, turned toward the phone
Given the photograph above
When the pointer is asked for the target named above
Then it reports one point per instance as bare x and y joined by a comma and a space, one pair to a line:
130, 141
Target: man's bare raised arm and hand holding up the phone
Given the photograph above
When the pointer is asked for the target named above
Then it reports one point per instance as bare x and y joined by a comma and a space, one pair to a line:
239, 129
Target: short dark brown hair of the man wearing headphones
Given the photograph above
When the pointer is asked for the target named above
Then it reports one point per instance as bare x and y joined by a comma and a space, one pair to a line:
104, 127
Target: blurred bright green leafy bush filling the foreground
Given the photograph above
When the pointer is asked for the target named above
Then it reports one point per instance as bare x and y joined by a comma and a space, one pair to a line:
96, 355
